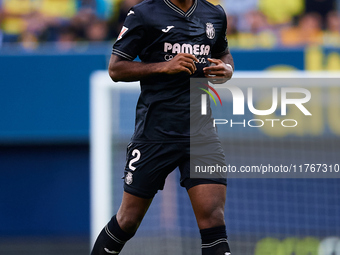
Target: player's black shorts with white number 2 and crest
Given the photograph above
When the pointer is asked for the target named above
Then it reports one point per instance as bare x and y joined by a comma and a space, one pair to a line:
148, 165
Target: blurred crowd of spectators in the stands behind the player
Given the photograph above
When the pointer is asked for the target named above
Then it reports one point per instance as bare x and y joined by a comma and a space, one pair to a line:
251, 23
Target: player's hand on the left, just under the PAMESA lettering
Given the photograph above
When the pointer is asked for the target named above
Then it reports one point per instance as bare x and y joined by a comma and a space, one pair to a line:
182, 62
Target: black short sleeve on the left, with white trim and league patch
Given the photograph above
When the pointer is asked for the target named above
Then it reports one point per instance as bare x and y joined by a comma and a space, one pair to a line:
130, 40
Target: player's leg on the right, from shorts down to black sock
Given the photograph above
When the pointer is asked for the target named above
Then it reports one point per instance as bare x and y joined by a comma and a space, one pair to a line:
207, 193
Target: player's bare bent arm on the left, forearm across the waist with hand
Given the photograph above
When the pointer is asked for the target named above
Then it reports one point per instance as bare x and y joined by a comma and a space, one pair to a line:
121, 69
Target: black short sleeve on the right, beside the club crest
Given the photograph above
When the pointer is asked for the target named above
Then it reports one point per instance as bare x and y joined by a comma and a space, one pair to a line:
220, 47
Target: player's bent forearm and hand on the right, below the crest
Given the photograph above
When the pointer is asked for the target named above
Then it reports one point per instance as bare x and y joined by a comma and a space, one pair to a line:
221, 68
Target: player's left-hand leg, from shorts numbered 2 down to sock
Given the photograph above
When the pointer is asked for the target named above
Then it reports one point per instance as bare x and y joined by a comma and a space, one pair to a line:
147, 166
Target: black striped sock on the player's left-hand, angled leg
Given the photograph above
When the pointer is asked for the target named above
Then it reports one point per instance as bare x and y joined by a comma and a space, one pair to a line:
111, 239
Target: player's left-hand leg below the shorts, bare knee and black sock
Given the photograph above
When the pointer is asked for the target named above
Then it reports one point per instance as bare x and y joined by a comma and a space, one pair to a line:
122, 226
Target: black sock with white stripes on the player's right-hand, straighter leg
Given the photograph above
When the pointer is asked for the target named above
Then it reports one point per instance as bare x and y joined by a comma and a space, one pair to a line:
214, 241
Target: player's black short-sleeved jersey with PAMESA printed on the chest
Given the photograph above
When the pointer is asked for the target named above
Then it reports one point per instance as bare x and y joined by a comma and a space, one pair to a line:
157, 30
